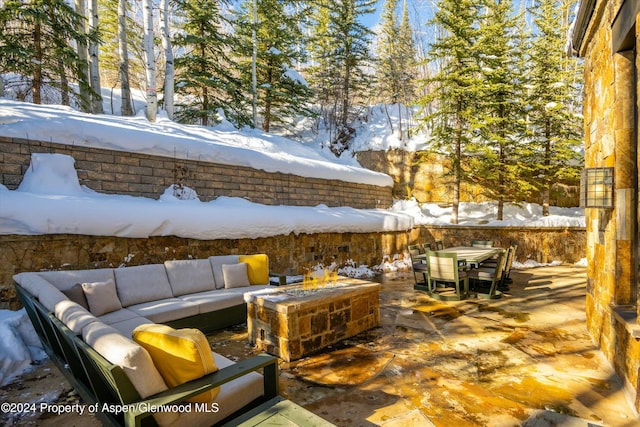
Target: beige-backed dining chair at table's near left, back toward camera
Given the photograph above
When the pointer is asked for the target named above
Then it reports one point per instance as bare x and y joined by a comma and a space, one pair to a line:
443, 269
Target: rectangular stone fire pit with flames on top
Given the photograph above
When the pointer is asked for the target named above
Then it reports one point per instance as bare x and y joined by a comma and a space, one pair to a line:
294, 321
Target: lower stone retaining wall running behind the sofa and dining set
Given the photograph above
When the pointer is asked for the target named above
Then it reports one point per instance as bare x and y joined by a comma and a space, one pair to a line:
290, 254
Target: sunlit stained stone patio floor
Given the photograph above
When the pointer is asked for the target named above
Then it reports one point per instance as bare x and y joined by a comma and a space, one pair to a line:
525, 359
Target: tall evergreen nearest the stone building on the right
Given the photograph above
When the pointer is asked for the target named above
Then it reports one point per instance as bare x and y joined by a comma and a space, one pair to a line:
554, 124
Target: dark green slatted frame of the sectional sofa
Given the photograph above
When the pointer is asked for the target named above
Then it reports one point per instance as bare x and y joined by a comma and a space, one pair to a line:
98, 381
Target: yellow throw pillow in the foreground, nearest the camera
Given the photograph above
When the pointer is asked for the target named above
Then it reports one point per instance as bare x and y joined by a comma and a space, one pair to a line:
180, 355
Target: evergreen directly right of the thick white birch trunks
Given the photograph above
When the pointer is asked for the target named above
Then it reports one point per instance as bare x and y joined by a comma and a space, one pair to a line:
204, 72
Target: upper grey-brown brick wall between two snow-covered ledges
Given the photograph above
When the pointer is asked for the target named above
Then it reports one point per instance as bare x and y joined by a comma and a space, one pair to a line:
135, 174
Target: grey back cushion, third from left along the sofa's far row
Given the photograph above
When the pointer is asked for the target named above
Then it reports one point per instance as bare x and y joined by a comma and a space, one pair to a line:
190, 276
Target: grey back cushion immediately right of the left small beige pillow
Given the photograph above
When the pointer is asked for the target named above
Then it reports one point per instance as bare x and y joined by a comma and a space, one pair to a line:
142, 283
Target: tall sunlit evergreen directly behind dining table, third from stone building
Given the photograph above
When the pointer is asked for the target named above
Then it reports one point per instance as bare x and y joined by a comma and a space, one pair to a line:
455, 89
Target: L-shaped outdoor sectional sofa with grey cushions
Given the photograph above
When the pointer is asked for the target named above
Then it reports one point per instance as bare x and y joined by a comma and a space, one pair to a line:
85, 319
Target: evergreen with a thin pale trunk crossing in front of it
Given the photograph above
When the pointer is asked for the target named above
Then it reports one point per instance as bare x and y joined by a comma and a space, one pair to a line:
283, 94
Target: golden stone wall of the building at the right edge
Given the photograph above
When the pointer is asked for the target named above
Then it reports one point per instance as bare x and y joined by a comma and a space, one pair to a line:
610, 111
